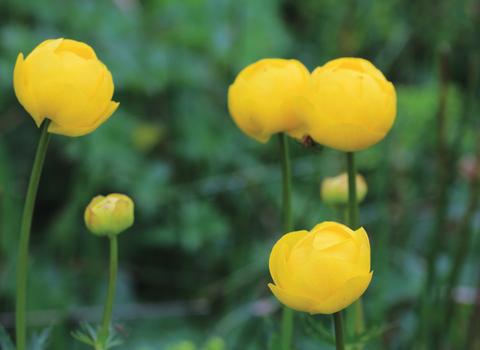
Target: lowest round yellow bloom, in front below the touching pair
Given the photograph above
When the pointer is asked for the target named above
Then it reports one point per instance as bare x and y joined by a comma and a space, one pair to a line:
321, 271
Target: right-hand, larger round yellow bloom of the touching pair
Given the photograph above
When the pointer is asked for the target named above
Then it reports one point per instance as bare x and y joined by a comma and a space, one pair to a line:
347, 105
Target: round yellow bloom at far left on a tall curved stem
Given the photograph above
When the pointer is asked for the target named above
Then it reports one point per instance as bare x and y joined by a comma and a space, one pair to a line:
63, 80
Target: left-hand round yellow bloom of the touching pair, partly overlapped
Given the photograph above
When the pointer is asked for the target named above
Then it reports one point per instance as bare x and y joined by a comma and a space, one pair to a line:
259, 100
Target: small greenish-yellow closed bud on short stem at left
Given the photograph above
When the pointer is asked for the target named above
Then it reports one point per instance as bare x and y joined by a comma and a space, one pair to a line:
110, 215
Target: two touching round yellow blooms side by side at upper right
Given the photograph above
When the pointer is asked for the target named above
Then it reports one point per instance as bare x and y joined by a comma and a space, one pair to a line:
347, 104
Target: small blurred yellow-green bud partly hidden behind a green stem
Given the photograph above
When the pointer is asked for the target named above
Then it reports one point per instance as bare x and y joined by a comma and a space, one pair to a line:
334, 190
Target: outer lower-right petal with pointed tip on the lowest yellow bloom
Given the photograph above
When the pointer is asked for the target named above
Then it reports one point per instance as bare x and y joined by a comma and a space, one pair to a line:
347, 294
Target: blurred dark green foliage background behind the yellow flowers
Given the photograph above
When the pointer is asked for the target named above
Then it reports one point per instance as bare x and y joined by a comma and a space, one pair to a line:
195, 264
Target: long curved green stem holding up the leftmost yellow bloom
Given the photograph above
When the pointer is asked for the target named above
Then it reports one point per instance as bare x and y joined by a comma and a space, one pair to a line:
21, 298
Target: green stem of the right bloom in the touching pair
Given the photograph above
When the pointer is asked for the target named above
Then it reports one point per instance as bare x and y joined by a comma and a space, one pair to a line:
357, 325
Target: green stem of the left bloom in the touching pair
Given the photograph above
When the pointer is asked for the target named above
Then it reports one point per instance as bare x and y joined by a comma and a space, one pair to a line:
287, 317
